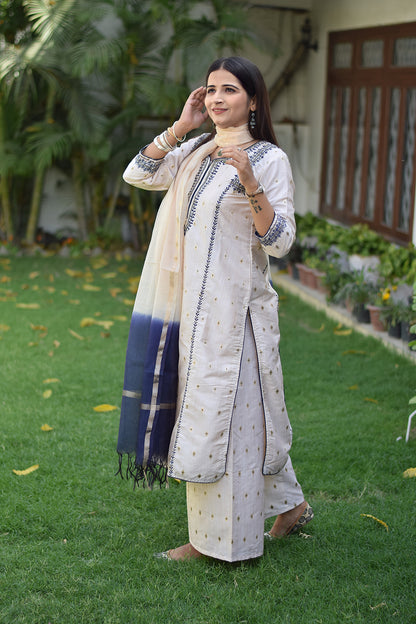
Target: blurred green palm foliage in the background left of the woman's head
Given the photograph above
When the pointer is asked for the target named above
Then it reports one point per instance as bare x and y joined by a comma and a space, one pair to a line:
89, 97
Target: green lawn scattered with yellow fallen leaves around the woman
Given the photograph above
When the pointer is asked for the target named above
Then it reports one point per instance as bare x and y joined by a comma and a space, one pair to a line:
77, 543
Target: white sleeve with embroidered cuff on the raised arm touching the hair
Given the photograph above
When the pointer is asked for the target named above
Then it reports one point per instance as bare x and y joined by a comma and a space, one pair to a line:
157, 174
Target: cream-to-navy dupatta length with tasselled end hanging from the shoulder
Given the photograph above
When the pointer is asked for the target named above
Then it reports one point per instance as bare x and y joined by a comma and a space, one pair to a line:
148, 406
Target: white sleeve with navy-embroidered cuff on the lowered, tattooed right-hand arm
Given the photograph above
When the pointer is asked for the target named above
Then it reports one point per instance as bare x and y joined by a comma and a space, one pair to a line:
276, 177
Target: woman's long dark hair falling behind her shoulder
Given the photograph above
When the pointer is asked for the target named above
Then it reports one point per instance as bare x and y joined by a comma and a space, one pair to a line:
253, 82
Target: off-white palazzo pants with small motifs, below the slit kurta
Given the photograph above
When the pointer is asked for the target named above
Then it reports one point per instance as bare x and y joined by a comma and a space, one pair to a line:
226, 518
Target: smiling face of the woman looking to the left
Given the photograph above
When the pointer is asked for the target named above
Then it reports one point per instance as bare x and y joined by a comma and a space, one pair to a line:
226, 100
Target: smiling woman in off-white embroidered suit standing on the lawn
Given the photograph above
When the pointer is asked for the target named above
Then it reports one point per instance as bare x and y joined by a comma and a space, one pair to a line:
203, 393
